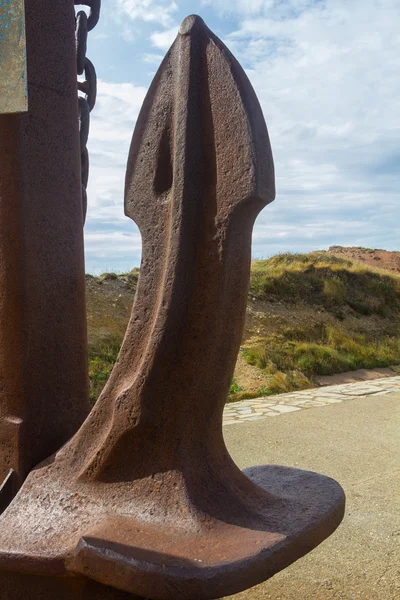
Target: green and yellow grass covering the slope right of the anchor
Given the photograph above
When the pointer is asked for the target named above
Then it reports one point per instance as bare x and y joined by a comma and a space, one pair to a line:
355, 322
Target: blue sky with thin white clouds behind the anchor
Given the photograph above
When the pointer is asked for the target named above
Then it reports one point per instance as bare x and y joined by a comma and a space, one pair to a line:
327, 75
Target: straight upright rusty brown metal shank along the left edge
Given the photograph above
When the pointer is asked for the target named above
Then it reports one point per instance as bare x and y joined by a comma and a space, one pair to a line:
43, 353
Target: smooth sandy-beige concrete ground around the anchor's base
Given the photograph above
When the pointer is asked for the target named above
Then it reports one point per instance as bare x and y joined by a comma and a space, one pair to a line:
358, 444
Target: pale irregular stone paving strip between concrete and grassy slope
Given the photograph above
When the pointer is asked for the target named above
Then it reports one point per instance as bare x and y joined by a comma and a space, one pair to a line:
273, 406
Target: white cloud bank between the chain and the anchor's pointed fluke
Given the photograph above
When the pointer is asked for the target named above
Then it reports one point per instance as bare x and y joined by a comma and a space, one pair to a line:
110, 237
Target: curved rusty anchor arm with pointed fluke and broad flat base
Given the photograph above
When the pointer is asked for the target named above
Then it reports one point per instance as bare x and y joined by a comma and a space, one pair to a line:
145, 497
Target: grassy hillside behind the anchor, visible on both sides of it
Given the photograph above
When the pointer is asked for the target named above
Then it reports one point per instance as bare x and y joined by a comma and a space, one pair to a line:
308, 315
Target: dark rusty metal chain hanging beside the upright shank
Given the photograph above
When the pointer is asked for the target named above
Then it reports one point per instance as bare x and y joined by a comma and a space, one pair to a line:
84, 24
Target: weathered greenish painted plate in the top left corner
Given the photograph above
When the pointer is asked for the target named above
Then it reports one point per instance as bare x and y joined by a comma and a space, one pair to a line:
13, 81
